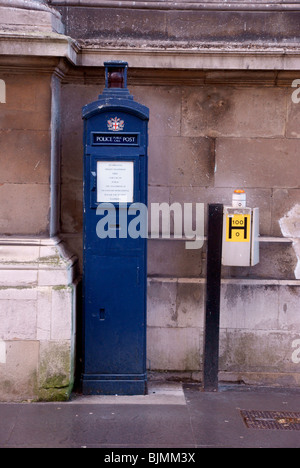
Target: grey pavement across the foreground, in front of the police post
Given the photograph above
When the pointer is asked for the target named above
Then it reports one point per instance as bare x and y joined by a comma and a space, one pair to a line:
171, 416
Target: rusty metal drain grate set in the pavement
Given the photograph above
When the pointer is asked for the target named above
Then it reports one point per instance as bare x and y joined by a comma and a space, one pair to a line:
285, 420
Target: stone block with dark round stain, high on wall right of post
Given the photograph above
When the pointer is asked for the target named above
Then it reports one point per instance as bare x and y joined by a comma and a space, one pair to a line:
227, 111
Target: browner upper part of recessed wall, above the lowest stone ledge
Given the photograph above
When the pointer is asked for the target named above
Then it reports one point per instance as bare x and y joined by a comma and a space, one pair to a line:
205, 141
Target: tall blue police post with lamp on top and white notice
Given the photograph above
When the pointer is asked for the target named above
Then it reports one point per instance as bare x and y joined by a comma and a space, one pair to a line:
115, 264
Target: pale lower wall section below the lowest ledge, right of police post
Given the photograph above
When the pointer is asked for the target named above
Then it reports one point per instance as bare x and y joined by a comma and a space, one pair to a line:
259, 337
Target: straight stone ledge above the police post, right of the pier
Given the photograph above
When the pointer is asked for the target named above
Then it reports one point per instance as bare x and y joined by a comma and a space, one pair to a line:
198, 57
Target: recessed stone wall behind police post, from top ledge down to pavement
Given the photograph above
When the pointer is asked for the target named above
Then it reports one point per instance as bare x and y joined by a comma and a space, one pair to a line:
207, 139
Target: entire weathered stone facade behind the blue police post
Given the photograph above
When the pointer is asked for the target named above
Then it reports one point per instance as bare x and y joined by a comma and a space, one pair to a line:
218, 82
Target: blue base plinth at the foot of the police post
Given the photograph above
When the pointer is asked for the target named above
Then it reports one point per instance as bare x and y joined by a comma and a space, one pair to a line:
114, 385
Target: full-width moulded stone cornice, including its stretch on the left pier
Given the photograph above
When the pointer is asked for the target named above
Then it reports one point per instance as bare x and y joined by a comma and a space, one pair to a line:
149, 55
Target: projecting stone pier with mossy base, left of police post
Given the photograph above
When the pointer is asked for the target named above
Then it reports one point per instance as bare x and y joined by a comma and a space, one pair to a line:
37, 274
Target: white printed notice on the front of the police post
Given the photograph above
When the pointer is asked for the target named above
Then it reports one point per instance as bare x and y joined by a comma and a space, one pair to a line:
115, 181
